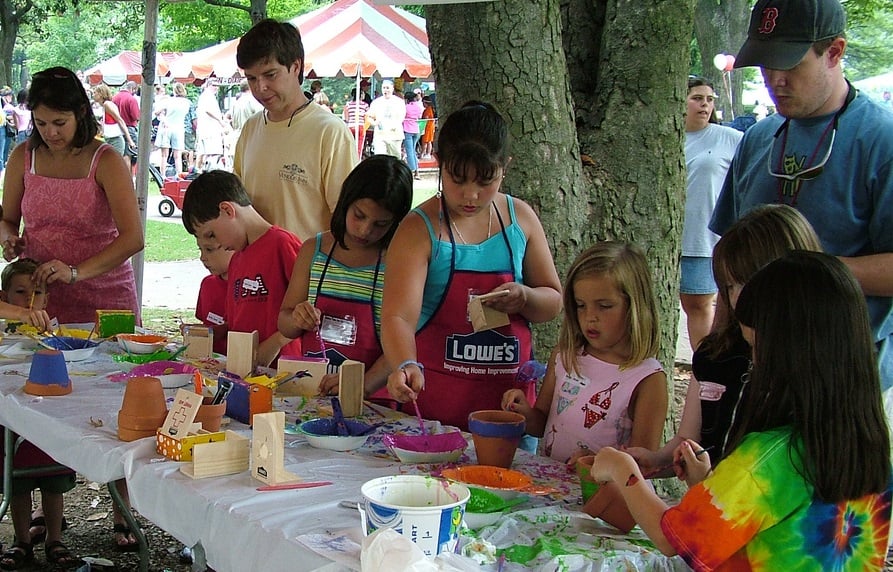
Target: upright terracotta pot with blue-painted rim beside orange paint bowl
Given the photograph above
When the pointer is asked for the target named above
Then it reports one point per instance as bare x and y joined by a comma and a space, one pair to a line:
496, 435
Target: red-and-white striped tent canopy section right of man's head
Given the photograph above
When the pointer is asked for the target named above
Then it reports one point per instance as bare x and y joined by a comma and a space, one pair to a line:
351, 34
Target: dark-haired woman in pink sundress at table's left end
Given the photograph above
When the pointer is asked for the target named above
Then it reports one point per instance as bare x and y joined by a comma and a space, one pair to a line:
76, 196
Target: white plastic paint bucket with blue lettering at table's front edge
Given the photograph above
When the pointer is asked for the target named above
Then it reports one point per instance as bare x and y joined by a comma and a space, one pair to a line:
424, 509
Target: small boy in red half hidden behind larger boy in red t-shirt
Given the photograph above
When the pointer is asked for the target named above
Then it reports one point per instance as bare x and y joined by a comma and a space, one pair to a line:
210, 308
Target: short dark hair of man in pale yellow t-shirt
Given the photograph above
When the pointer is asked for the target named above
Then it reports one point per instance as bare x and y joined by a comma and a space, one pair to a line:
271, 40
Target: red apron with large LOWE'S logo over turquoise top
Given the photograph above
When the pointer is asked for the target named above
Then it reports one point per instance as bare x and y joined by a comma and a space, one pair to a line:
467, 371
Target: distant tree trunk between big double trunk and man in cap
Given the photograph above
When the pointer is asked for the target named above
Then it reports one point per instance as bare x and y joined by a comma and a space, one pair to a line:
721, 27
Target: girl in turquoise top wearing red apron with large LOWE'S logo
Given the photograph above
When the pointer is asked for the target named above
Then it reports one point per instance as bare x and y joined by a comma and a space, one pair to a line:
467, 241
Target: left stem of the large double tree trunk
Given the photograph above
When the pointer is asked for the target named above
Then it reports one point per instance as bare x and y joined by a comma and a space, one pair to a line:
510, 54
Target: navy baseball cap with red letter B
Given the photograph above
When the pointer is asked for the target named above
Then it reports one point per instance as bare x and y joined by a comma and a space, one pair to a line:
782, 31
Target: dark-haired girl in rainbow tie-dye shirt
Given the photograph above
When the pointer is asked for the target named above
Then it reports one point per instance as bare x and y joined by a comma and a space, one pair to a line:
807, 484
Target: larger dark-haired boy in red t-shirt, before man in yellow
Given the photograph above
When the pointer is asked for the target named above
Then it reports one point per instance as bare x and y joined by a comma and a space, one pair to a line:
217, 208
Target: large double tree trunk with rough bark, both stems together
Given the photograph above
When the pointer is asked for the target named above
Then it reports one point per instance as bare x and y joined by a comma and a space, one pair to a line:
615, 102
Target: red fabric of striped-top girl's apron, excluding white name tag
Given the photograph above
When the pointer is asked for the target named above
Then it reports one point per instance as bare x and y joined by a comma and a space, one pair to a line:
366, 347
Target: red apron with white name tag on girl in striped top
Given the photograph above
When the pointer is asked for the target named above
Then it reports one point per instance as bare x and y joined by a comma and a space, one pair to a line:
347, 326
